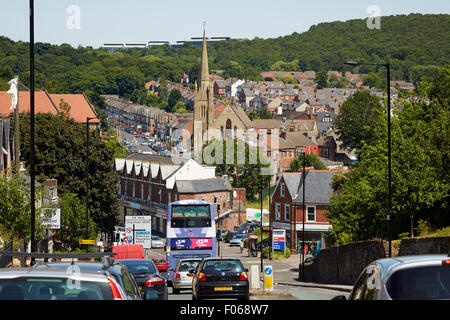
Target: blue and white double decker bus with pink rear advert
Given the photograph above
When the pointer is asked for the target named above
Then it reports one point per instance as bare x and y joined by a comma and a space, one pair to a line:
191, 231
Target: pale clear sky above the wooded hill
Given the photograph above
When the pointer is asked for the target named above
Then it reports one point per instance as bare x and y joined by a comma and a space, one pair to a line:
95, 22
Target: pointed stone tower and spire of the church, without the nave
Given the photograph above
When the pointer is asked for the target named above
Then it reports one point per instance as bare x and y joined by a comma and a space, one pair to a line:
203, 103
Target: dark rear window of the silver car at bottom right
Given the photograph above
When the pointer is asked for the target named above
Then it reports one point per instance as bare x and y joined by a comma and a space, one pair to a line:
421, 283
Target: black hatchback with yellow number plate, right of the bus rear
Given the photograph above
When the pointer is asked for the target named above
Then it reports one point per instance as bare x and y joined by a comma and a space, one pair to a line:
220, 278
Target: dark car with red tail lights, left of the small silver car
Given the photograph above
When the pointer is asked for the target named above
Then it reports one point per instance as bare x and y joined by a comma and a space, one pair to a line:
147, 277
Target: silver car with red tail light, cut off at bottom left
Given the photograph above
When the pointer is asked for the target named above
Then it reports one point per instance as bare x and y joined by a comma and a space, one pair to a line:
58, 284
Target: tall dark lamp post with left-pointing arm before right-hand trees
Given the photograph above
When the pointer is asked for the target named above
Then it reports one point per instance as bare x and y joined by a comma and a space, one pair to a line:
388, 76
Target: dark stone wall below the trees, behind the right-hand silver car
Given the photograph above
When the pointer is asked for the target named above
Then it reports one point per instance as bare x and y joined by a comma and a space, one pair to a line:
344, 264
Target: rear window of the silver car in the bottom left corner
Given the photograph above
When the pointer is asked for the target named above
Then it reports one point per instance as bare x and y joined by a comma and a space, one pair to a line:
34, 288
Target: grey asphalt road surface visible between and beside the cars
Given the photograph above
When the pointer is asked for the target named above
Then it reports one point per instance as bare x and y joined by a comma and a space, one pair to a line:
283, 273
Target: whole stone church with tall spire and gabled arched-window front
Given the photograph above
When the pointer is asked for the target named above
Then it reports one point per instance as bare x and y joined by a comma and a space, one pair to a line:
227, 121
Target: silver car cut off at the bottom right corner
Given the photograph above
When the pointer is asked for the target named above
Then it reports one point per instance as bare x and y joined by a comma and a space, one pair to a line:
421, 277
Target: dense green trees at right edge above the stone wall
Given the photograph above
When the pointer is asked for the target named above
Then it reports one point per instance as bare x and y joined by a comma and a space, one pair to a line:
420, 171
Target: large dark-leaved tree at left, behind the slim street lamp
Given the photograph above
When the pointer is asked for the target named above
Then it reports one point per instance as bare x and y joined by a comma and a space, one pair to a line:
60, 153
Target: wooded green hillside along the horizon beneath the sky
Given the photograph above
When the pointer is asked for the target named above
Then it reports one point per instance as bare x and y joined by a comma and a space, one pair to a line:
414, 44
